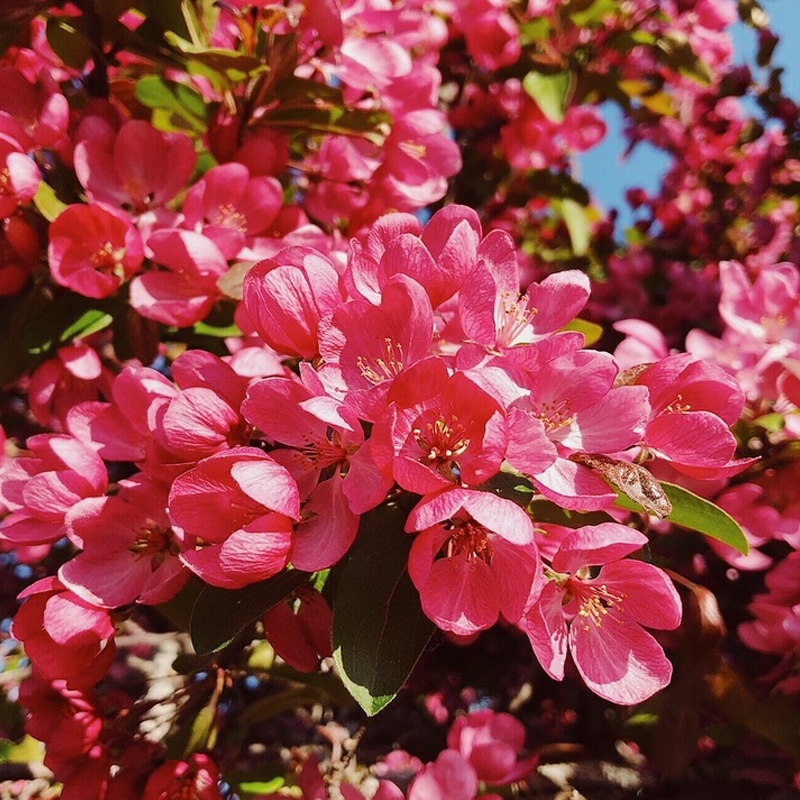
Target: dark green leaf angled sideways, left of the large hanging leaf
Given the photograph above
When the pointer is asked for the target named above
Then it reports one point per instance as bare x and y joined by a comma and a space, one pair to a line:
219, 615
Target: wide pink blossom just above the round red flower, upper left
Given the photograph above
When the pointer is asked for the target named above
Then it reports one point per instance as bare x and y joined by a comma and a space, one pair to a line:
136, 168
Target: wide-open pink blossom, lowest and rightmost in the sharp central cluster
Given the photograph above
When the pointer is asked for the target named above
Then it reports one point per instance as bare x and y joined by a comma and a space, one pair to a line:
599, 617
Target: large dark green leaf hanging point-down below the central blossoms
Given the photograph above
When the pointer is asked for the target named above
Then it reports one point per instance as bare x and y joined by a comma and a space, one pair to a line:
379, 628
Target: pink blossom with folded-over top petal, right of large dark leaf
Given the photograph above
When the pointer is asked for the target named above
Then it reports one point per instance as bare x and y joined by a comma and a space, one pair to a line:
473, 560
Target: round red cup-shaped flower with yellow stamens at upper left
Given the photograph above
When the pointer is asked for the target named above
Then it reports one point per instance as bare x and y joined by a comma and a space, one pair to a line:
93, 250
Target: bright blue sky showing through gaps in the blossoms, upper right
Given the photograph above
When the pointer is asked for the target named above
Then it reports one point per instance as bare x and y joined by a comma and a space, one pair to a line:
608, 176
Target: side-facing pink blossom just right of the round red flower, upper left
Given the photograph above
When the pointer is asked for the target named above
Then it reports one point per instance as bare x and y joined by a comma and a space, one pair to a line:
185, 292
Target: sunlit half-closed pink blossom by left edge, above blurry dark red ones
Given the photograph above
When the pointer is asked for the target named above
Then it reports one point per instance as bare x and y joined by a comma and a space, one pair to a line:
65, 637
